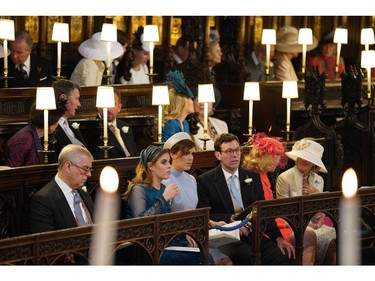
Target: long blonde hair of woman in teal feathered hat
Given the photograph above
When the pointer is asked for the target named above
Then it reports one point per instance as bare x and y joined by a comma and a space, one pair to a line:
177, 104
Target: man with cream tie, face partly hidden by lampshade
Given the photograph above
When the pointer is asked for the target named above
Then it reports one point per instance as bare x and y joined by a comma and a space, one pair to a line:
120, 134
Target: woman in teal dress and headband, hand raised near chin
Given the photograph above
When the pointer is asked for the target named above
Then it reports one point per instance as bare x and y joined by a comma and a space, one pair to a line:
148, 196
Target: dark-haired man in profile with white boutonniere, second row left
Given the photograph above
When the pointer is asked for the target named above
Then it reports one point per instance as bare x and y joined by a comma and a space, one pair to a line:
67, 95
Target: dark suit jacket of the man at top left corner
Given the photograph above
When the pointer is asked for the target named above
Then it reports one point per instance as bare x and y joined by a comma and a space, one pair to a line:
40, 73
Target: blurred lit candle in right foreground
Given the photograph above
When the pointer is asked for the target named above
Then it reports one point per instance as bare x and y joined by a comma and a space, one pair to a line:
349, 244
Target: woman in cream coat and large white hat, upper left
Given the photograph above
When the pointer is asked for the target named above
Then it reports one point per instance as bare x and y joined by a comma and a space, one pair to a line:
90, 69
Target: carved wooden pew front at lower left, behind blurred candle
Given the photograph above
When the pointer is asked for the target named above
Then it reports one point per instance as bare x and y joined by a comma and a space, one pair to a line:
71, 246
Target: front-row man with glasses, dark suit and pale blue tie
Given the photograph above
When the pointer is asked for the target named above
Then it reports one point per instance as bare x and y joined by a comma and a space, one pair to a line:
227, 189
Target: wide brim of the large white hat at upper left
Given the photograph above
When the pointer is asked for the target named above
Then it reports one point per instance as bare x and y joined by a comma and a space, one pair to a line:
97, 50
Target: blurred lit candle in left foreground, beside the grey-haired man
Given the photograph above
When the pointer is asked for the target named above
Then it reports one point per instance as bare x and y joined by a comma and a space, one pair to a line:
105, 217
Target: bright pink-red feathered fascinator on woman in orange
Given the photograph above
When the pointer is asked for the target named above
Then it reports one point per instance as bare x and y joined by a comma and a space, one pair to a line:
269, 145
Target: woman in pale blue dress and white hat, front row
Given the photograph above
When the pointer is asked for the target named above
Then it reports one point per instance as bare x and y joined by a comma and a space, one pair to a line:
182, 149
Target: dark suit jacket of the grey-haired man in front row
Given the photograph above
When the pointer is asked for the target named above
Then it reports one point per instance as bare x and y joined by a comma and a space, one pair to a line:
49, 209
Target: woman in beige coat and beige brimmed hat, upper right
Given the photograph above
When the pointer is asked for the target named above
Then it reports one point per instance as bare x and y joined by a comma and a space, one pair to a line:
287, 48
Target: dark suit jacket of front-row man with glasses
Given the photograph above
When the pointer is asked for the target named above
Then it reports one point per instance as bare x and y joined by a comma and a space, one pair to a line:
213, 192
